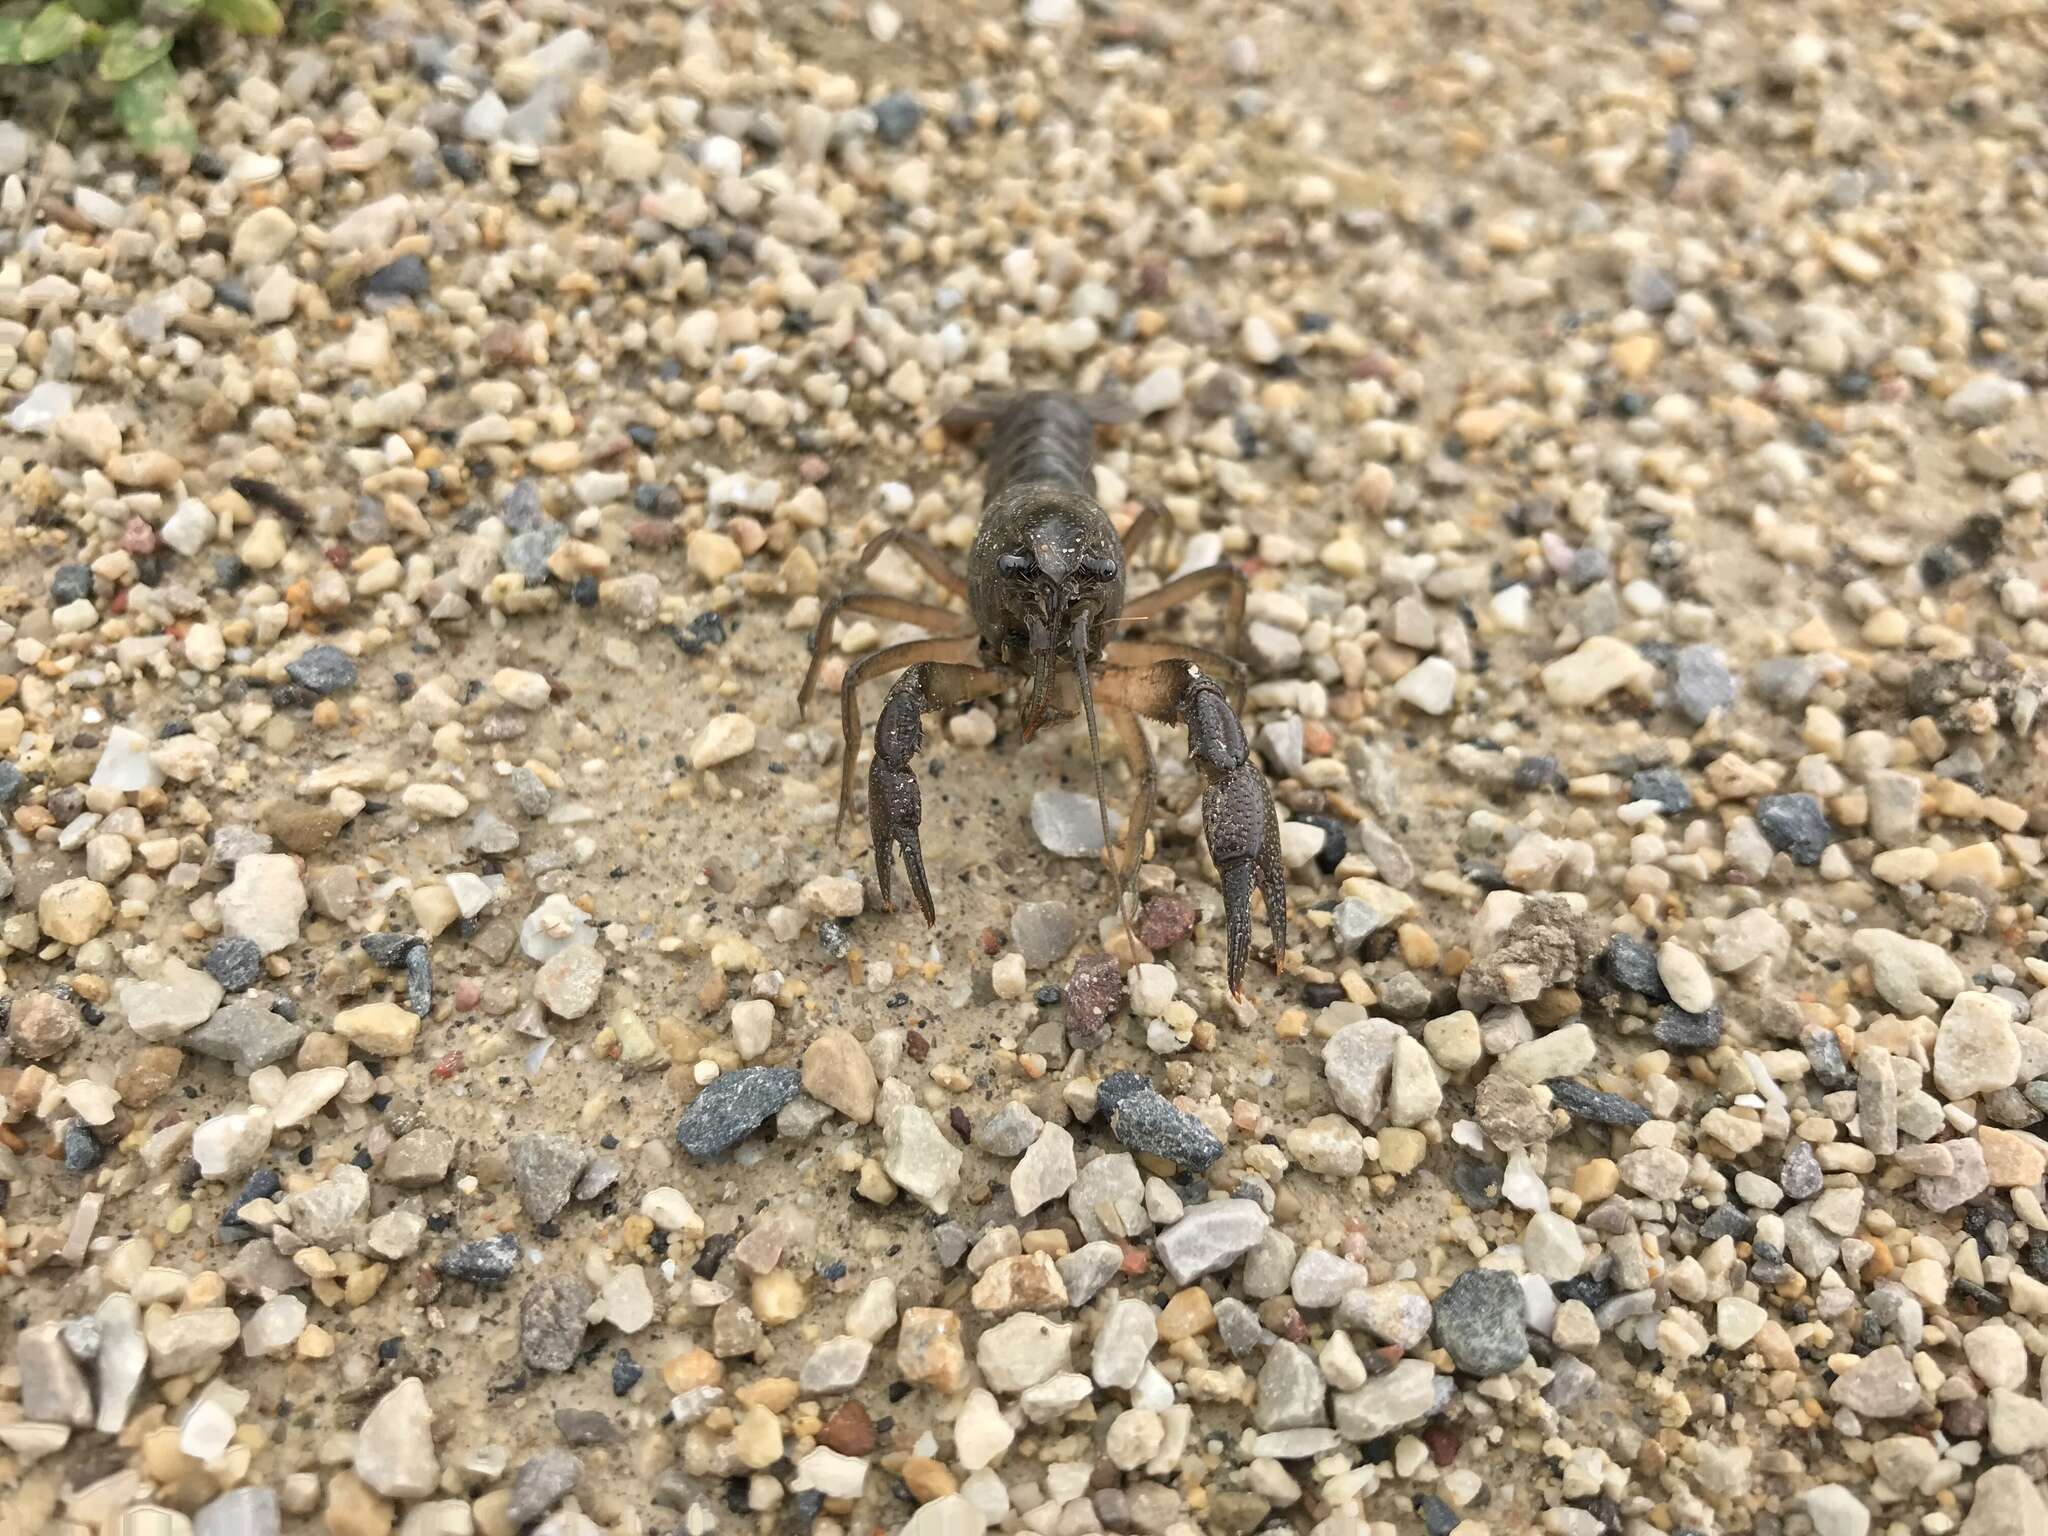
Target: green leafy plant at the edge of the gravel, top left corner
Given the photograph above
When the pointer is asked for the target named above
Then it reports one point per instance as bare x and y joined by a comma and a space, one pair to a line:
120, 50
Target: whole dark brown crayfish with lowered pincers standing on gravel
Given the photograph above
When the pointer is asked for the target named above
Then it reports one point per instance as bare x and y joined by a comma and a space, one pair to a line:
1046, 603
